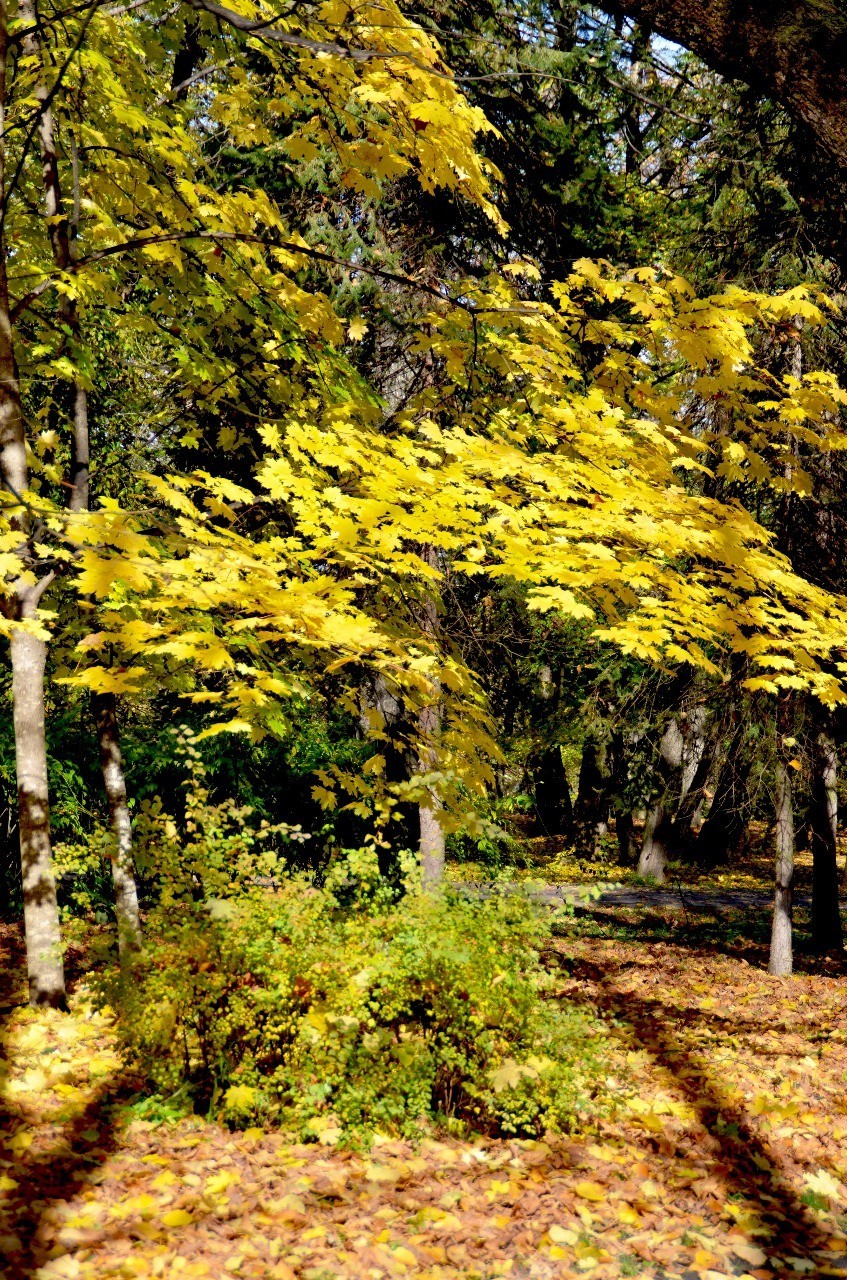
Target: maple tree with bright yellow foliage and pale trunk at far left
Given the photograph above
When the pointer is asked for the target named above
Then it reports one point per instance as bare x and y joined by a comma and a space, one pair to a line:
518, 423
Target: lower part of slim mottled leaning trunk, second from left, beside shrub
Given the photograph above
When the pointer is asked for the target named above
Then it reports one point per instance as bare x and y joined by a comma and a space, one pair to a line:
123, 875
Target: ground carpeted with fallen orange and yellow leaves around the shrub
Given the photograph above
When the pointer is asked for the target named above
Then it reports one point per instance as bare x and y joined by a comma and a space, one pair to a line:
725, 1151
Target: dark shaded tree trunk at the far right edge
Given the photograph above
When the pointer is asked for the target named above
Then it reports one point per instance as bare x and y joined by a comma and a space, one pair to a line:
826, 915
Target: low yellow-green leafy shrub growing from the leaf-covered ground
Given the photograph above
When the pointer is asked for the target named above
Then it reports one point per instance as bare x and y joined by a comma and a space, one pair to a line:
282, 1007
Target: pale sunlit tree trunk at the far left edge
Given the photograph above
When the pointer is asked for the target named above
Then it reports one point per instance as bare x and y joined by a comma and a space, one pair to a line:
45, 967
